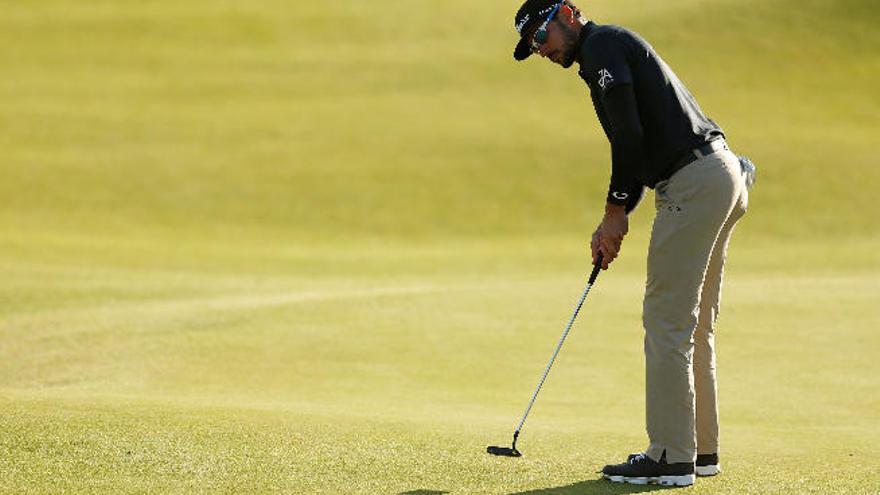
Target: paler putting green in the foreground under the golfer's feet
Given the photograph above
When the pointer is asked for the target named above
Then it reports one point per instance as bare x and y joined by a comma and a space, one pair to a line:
393, 374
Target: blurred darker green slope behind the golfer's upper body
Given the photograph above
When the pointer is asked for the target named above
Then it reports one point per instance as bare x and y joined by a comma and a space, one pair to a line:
323, 122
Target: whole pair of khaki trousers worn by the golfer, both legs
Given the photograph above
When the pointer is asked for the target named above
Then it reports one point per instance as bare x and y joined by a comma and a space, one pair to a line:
697, 209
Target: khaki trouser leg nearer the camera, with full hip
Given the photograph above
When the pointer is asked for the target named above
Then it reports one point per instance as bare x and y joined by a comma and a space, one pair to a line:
692, 208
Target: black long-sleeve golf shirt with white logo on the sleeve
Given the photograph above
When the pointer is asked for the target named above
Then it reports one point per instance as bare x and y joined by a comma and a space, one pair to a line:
648, 115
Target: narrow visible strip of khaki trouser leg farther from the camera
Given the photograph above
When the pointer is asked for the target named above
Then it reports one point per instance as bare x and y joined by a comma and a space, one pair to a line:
704, 337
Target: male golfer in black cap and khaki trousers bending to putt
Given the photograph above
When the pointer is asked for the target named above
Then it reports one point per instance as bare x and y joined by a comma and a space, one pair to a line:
660, 139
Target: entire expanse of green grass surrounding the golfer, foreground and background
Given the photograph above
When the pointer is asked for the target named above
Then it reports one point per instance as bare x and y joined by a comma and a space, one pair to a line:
271, 247
